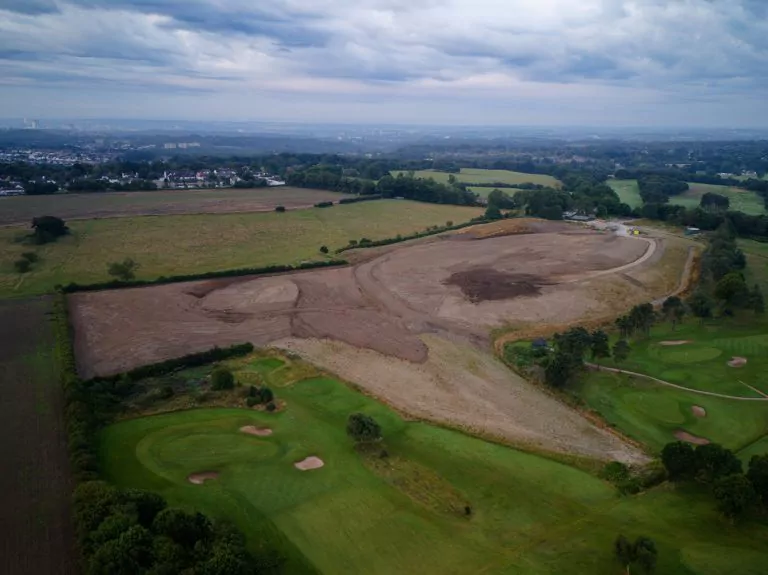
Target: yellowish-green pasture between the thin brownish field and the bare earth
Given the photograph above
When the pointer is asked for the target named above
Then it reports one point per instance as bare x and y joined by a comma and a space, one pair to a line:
171, 245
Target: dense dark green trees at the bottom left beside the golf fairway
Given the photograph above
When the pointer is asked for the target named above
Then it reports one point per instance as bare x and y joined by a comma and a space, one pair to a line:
134, 532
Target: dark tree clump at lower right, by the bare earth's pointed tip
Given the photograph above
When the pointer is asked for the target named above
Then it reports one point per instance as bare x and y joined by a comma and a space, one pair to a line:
735, 492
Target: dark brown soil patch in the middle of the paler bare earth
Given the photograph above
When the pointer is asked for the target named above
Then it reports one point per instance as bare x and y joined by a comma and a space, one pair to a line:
486, 284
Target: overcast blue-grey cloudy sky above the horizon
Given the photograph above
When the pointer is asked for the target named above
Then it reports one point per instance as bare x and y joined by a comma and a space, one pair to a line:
550, 62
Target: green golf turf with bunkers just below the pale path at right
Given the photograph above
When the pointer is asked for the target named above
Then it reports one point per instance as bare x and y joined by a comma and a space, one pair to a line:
651, 413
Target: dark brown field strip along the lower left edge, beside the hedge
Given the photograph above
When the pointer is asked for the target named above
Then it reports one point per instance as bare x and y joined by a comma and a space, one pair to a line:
36, 534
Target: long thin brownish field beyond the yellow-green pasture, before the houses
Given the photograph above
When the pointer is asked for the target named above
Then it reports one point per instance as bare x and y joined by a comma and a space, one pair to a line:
21, 209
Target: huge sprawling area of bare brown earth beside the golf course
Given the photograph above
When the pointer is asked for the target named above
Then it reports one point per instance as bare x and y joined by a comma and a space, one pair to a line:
409, 325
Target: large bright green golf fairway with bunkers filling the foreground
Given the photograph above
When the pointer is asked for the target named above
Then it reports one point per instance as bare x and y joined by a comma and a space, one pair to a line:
437, 502
